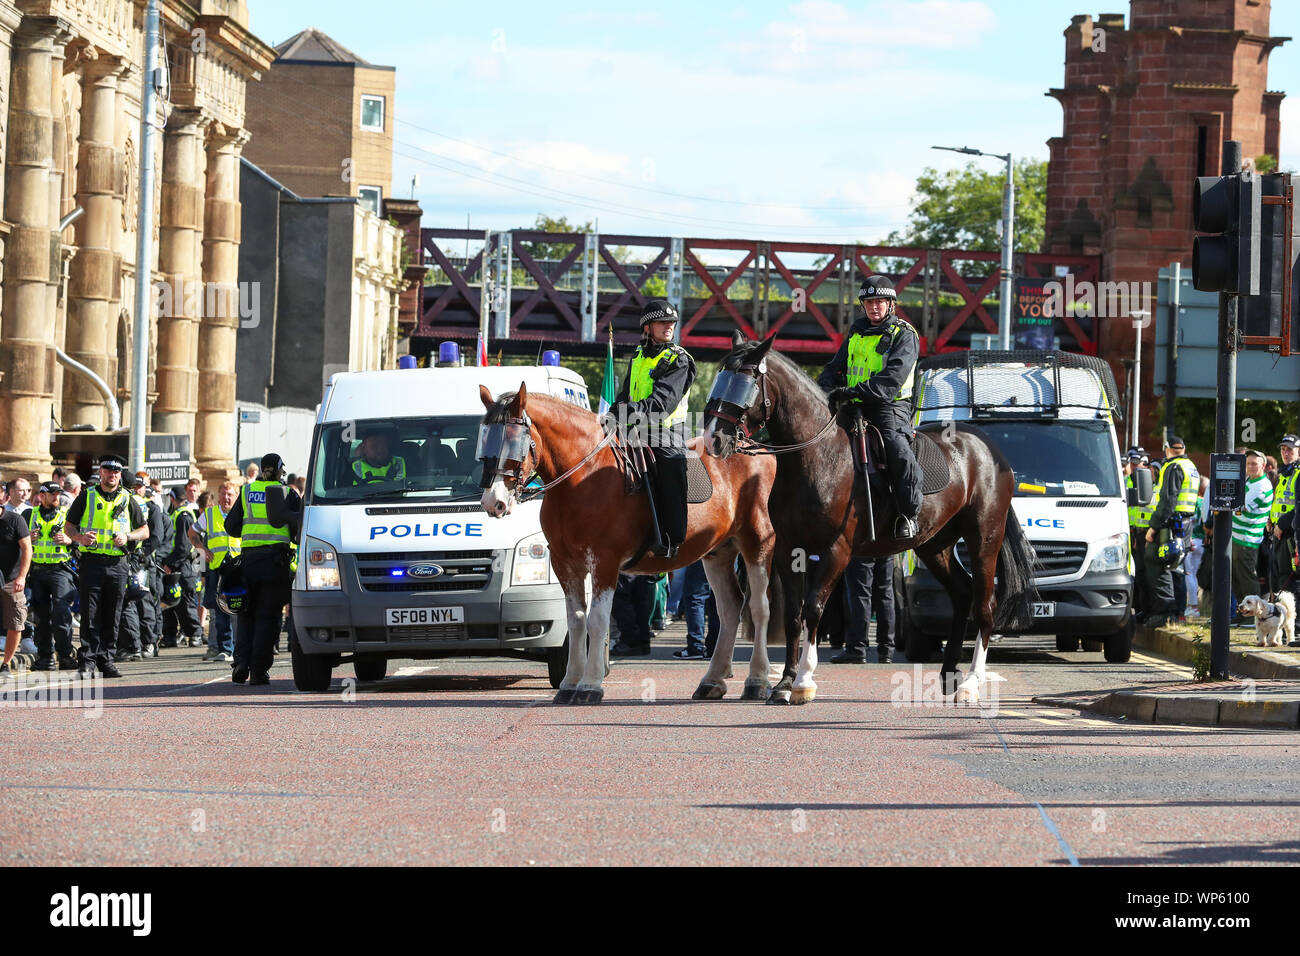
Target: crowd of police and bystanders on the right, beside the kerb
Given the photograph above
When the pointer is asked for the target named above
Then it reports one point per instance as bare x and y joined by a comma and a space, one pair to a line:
1264, 539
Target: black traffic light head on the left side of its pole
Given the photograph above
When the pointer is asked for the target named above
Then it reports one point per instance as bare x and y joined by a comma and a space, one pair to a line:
1229, 259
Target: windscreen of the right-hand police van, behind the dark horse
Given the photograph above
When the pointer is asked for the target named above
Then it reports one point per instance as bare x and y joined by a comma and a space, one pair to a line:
1059, 458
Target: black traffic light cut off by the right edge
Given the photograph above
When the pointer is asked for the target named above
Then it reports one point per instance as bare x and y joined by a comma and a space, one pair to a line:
1266, 321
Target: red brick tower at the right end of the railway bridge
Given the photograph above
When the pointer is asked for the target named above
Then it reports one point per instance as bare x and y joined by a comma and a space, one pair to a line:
1147, 109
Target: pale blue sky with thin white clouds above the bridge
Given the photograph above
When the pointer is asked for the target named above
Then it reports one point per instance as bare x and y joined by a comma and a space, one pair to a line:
795, 122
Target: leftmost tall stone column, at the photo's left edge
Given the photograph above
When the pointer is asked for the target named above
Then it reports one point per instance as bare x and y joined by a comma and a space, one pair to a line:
32, 258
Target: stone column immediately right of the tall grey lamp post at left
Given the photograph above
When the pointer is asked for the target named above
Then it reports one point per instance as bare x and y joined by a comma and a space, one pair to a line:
181, 228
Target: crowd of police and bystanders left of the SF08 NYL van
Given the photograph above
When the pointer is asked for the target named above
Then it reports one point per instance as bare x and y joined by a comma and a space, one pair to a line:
129, 568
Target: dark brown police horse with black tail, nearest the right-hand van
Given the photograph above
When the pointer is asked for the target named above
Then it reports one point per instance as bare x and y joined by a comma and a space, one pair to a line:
820, 517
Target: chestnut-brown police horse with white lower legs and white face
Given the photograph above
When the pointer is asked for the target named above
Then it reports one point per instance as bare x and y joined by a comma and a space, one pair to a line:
596, 530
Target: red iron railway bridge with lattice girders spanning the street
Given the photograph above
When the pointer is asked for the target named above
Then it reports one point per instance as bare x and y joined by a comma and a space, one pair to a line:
569, 302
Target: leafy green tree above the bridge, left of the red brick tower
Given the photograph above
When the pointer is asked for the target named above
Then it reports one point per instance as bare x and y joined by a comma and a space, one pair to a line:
961, 209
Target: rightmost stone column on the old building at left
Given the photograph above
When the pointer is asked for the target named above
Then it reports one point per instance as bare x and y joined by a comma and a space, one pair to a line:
215, 427
